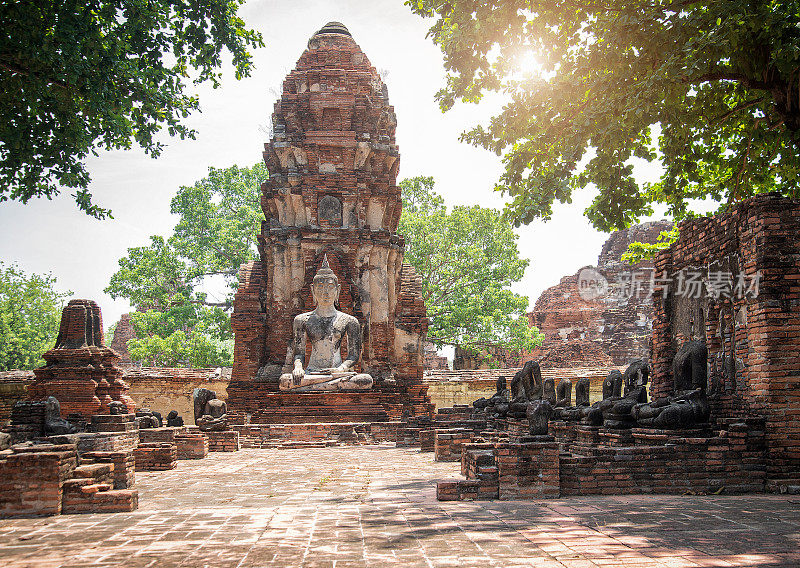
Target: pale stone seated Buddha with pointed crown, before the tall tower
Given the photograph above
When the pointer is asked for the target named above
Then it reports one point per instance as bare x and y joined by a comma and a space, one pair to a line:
325, 327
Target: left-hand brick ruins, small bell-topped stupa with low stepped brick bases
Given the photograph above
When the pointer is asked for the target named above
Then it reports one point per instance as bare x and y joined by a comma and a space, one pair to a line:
76, 438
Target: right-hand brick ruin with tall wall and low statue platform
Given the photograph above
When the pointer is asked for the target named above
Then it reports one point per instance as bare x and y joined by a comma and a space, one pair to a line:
726, 334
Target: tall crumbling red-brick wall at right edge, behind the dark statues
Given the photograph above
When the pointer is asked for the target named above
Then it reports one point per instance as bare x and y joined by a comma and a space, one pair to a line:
753, 339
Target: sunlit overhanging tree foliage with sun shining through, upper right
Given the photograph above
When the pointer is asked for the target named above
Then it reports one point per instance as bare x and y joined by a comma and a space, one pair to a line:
717, 82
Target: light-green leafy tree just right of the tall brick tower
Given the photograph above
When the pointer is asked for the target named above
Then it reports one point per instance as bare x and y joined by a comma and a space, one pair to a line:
467, 258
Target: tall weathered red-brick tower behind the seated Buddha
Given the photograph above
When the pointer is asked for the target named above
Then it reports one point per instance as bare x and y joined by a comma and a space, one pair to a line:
332, 191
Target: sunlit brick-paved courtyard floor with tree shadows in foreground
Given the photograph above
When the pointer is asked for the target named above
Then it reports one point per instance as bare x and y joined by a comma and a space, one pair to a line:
376, 506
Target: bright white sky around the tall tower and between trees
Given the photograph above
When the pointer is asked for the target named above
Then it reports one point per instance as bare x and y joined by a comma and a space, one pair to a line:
82, 253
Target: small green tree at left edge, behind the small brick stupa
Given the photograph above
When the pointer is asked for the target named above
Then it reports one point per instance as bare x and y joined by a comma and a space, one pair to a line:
30, 313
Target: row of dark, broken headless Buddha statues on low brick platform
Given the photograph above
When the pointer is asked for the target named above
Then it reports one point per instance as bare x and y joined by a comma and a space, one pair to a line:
625, 401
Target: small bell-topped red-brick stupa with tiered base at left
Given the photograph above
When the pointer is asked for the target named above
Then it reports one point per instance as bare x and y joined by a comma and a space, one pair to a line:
81, 372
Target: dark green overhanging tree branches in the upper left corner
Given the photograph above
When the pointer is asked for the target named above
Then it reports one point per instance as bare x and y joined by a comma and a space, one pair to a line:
79, 76
